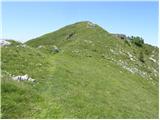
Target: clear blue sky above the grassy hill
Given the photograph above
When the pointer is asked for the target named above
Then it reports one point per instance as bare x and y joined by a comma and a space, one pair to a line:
26, 20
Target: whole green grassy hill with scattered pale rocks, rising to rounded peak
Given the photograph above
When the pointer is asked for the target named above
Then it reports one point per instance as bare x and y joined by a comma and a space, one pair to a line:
94, 74
